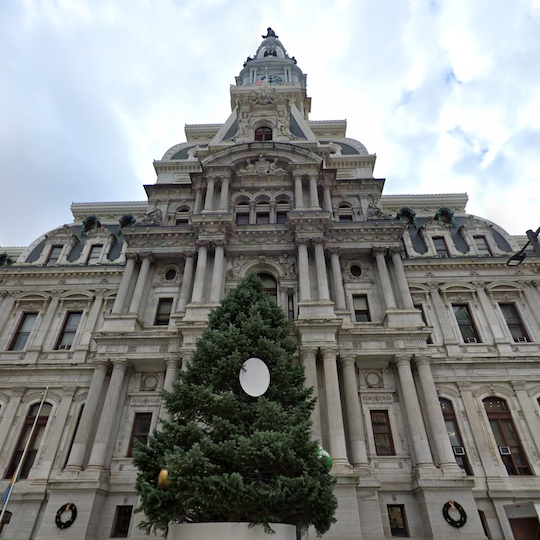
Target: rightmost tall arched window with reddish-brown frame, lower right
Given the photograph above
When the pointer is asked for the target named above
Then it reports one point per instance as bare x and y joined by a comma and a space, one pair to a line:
506, 436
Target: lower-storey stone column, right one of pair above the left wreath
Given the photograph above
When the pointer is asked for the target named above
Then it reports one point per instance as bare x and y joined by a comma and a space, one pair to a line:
111, 406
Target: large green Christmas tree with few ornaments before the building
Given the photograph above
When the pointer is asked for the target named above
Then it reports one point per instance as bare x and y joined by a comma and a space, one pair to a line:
230, 456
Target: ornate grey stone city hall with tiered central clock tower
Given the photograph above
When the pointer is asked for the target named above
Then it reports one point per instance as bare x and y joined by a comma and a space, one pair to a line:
421, 343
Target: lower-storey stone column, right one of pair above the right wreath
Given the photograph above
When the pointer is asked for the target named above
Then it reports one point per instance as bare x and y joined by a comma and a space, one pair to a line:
439, 433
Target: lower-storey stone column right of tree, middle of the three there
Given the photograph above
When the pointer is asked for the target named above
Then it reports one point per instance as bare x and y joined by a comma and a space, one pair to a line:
336, 430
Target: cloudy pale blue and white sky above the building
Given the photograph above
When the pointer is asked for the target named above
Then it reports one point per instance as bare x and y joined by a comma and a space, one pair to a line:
446, 93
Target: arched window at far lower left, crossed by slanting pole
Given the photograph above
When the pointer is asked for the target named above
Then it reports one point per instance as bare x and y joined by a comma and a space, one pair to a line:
35, 440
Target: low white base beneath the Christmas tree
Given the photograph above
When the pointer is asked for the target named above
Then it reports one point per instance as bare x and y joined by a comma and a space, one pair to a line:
229, 531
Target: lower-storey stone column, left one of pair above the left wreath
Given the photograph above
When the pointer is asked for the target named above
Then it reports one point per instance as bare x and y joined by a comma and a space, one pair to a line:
82, 437
